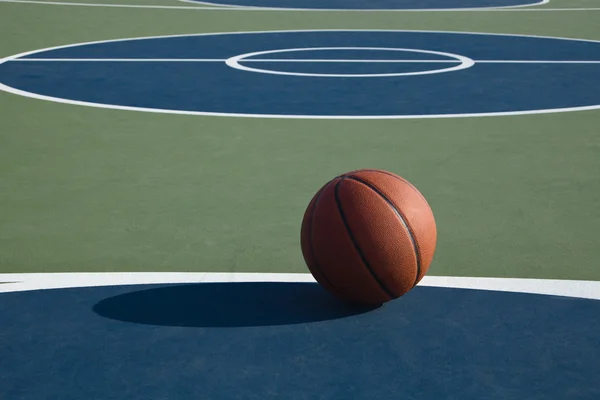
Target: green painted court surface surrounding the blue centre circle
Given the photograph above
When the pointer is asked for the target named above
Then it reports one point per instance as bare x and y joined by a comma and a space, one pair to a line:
88, 189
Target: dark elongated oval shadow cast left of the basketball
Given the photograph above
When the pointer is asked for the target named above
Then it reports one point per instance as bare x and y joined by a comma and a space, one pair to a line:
227, 305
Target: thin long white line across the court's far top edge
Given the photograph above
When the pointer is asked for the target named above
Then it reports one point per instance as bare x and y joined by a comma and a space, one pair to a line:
60, 3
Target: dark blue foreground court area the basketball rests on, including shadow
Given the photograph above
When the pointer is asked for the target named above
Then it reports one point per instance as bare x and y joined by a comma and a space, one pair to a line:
294, 341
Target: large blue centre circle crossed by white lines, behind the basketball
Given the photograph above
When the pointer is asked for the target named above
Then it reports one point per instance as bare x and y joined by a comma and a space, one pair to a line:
318, 74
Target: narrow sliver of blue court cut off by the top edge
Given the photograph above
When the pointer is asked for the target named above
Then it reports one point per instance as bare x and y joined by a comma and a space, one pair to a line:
374, 4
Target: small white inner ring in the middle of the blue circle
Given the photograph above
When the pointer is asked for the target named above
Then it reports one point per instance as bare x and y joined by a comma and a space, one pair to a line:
234, 62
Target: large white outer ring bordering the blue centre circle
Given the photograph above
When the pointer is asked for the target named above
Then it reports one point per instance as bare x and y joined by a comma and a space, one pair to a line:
12, 90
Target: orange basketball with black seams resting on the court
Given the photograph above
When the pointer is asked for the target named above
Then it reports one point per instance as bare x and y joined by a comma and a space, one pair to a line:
368, 236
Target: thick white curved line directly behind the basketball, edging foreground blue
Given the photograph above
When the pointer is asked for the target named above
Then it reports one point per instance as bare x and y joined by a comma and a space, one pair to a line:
44, 281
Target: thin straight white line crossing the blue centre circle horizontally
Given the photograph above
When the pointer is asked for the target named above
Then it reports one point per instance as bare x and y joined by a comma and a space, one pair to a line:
294, 60
